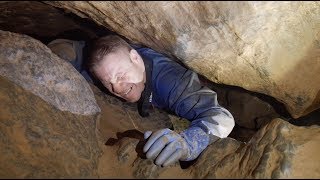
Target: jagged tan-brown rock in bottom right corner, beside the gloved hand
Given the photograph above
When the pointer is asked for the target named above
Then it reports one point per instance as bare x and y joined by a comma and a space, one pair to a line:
279, 150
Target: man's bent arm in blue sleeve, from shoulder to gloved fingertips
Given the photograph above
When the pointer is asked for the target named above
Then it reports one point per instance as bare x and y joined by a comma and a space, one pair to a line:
179, 90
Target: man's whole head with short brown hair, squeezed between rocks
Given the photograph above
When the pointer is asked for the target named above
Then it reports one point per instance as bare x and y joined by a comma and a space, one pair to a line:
119, 67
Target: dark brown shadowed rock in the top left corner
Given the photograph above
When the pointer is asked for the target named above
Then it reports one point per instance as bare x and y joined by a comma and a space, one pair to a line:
37, 19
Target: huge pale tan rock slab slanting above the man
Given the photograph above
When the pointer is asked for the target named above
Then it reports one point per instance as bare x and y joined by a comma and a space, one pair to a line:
267, 47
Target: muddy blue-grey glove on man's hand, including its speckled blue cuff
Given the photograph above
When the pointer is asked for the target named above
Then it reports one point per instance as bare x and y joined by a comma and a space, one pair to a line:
167, 146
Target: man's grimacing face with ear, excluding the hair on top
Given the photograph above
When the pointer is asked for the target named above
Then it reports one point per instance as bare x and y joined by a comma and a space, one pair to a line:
123, 74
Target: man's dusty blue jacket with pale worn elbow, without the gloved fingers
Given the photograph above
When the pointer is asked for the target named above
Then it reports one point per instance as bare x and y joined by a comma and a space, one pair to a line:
178, 90
